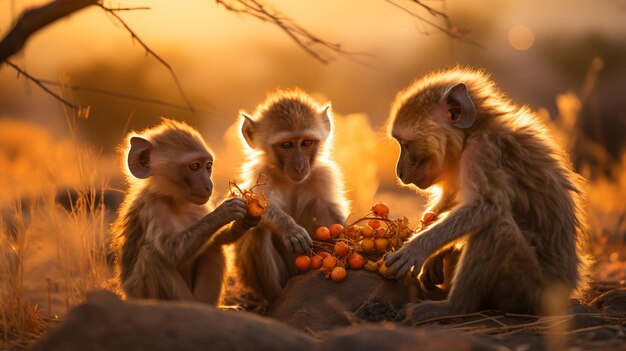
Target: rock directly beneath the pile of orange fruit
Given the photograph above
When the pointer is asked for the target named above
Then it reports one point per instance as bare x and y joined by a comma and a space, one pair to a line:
312, 302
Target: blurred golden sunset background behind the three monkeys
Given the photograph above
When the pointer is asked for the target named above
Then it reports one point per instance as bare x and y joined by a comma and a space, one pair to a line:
564, 58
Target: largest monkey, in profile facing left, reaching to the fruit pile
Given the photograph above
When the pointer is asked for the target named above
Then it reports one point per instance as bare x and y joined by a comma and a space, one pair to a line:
509, 192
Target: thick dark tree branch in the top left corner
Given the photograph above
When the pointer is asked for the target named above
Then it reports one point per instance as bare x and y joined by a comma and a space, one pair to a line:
34, 19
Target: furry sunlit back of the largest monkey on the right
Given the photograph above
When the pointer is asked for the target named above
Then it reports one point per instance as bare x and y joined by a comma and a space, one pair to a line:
546, 200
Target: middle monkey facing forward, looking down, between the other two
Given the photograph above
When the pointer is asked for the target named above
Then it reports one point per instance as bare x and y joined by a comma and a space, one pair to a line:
288, 136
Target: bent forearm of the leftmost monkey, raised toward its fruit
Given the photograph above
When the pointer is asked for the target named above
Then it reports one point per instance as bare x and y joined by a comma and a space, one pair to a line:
180, 247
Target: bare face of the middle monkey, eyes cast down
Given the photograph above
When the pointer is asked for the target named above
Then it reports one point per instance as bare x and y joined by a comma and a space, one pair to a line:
295, 157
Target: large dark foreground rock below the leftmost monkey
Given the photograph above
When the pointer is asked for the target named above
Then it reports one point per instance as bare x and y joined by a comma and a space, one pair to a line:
107, 323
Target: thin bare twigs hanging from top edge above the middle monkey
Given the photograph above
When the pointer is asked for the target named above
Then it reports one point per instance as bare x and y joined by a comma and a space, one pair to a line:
301, 36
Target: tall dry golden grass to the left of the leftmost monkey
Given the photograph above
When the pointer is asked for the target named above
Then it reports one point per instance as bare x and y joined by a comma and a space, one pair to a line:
50, 255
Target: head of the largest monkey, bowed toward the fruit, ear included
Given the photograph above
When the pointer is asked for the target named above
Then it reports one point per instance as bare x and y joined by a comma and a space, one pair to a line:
430, 127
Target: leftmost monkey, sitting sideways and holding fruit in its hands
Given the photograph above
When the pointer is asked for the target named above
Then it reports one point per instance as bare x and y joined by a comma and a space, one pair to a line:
167, 242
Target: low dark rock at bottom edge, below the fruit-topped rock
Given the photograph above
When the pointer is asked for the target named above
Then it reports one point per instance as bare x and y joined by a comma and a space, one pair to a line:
393, 337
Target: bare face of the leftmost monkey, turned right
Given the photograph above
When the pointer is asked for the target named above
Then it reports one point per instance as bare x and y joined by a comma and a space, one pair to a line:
195, 170
